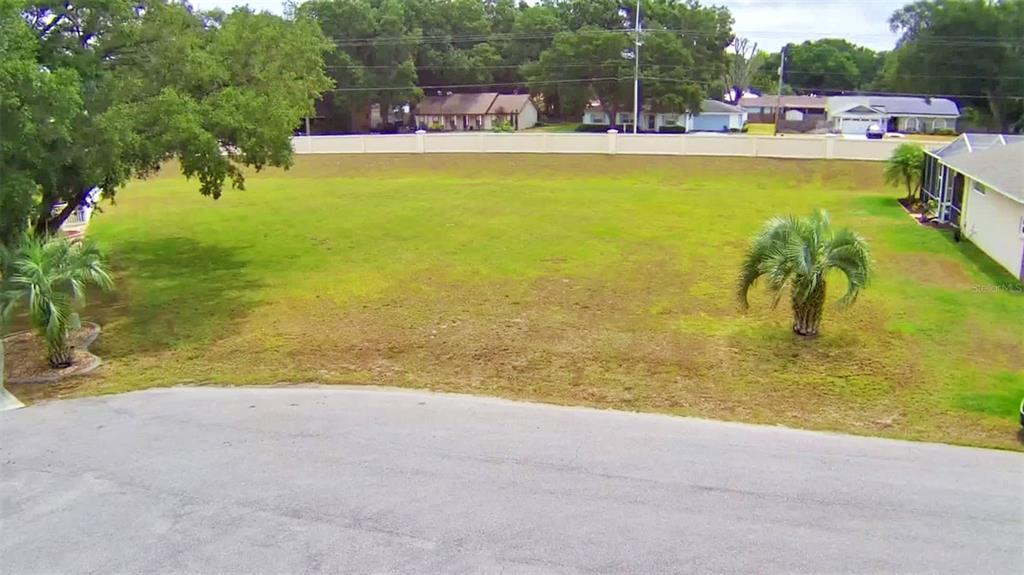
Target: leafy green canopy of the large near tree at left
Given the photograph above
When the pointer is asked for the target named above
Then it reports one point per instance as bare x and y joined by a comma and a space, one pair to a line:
97, 93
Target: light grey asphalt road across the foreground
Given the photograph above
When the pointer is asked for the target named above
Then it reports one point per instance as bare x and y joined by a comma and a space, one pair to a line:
380, 481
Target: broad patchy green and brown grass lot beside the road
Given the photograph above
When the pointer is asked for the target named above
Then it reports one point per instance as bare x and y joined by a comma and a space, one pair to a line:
599, 281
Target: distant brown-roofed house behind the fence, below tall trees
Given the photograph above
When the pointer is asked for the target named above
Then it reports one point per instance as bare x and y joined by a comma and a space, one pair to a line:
464, 113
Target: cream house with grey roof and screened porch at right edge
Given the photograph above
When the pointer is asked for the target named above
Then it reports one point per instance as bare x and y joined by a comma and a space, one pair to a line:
977, 184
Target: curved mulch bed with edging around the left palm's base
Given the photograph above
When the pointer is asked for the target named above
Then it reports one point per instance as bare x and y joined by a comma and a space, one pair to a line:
26, 358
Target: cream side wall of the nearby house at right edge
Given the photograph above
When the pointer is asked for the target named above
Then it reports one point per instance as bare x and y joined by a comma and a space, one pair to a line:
993, 223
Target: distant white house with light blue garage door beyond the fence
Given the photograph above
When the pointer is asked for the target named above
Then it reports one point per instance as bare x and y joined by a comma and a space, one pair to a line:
714, 117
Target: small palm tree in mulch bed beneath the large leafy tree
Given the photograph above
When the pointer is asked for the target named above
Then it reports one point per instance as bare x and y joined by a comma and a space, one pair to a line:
52, 276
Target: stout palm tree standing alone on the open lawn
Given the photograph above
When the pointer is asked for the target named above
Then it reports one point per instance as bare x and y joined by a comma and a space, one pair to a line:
799, 253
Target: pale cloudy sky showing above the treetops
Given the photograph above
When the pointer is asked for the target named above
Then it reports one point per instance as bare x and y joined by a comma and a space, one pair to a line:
770, 23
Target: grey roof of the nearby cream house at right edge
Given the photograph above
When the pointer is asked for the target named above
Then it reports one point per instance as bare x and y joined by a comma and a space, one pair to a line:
995, 160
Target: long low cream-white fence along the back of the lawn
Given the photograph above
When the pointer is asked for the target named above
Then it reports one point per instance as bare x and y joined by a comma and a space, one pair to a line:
802, 148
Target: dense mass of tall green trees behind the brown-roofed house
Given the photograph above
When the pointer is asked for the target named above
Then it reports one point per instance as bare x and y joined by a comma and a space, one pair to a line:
565, 52
